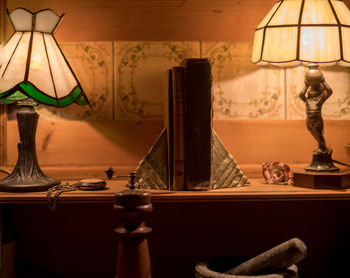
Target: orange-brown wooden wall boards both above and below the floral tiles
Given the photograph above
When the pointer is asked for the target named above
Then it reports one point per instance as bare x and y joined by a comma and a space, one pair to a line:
103, 143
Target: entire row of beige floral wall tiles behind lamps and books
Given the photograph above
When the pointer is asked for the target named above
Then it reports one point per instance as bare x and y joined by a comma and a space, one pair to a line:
128, 81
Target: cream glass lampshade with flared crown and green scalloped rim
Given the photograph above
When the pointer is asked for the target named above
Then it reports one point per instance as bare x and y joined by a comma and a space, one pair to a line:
32, 64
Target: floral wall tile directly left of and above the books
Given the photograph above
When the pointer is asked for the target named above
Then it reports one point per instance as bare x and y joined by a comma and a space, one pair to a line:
141, 76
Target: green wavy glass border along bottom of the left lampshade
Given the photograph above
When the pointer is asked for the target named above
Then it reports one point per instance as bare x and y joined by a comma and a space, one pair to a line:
26, 90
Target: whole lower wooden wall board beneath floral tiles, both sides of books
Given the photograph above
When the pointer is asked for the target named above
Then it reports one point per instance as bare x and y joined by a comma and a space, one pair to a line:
87, 147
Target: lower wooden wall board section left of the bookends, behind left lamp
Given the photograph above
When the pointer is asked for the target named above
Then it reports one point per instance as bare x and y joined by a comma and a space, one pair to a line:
83, 143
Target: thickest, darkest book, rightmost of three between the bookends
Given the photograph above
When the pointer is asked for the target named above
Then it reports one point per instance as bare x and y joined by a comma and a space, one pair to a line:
198, 124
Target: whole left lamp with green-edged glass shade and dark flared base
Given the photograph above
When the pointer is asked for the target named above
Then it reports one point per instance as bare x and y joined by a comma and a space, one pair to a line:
34, 70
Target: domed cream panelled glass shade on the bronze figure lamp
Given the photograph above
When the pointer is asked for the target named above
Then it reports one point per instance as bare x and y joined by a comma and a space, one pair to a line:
304, 31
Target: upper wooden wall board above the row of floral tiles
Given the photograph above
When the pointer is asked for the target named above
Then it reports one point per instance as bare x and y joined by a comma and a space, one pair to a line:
207, 20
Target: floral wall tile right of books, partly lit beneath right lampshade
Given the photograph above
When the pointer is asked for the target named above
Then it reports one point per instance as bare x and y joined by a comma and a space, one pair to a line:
241, 89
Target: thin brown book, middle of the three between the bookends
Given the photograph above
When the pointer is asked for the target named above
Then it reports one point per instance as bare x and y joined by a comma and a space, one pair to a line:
178, 162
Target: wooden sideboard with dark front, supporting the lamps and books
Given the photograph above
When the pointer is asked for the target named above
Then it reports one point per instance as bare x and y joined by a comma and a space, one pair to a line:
78, 240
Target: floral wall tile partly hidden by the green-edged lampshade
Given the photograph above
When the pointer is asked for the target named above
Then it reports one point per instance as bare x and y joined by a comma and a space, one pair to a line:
92, 62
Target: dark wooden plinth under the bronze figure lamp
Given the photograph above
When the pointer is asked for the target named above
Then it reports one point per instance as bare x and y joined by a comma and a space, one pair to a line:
321, 180
